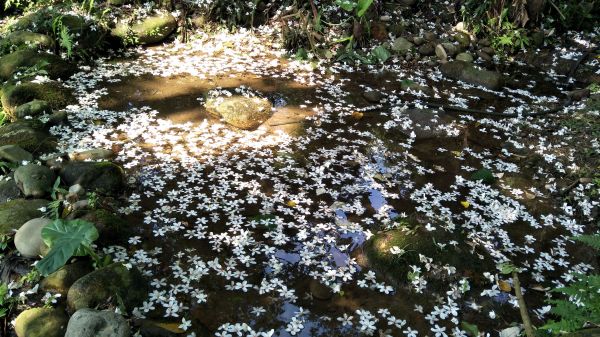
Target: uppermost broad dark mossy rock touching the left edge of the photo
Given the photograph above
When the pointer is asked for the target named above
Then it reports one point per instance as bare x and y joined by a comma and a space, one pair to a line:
20, 60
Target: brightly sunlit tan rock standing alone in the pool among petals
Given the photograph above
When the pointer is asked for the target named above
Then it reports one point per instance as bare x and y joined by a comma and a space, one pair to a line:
245, 113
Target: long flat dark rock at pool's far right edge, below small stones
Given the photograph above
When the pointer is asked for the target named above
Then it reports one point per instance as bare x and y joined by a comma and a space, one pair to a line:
463, 71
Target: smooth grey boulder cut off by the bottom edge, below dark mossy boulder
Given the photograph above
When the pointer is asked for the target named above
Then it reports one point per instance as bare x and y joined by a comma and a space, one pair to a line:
94, 323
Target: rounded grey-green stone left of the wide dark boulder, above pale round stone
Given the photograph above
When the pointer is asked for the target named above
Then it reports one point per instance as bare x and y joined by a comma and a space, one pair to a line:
35, 180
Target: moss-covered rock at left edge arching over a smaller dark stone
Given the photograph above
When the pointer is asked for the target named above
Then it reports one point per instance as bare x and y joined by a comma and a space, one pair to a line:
54, 93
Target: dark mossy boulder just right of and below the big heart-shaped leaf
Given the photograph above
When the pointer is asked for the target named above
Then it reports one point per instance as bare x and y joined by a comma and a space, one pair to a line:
106, 283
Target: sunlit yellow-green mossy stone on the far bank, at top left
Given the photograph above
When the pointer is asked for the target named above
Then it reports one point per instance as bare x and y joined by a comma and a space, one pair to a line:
151, 29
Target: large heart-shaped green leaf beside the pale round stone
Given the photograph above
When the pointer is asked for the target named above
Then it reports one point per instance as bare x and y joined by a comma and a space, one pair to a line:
65, 239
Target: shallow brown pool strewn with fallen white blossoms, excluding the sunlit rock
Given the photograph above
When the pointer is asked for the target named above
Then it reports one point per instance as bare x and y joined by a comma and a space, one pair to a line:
267, 230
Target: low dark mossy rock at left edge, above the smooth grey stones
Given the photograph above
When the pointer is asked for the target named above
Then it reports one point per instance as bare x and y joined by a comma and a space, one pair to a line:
28, 136
